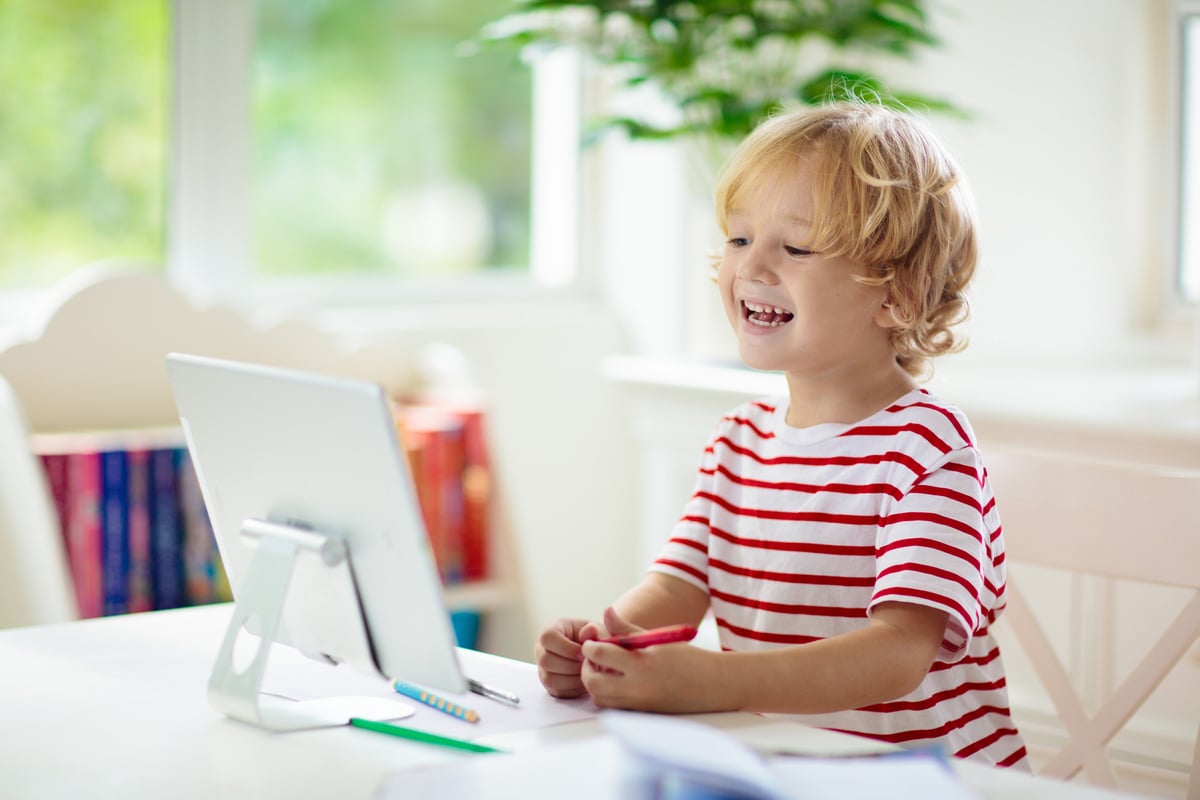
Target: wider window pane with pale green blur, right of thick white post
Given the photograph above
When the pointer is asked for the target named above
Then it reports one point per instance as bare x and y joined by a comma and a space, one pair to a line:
383, 143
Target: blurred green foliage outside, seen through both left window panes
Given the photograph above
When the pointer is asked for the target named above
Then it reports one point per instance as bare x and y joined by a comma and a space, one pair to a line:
381, 145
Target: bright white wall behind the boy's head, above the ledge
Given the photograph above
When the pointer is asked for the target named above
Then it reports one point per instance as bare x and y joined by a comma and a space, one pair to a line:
1070, 155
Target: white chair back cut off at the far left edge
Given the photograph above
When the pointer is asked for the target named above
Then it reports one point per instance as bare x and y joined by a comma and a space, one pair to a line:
35, 587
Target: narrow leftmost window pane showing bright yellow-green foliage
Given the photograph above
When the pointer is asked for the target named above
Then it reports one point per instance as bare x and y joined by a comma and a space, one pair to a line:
82, 135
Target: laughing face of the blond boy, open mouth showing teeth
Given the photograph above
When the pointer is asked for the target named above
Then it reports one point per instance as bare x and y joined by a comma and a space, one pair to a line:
795, 310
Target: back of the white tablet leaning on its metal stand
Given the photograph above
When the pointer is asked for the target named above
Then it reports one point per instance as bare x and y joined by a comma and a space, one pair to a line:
320, 454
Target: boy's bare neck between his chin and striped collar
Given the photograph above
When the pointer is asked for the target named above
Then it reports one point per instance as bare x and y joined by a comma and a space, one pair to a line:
826, 399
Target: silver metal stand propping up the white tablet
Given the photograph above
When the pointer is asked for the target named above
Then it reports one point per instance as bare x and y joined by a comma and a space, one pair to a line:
261, 599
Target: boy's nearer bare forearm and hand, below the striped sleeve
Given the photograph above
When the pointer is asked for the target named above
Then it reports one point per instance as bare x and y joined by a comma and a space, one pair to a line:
883, 661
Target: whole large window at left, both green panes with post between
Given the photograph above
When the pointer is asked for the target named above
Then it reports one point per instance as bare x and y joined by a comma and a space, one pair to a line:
245, 145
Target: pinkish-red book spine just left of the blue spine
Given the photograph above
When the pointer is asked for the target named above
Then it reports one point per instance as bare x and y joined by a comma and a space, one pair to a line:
85, 532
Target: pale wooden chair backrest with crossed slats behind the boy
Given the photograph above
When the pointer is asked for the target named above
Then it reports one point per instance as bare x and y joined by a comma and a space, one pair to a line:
1115, 520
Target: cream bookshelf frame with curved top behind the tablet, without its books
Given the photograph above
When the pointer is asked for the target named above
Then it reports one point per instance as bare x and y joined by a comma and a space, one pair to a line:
92, 380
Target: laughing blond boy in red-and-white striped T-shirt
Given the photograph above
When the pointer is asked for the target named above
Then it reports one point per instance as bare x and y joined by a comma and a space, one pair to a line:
845, 537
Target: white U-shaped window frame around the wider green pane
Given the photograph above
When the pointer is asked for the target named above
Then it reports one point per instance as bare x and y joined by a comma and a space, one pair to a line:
209, 236
